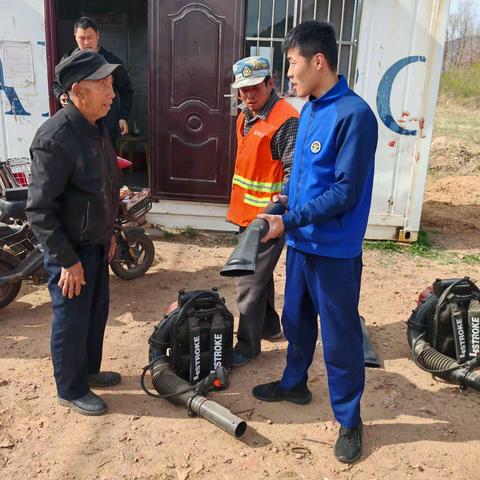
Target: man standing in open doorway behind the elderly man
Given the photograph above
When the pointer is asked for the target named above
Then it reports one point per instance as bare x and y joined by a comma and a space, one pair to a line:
87, 36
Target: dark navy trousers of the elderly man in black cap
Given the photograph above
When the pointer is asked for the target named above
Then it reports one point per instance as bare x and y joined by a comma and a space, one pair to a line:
79, 324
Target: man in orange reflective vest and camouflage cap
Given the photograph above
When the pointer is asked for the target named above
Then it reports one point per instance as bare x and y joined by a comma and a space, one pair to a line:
266, 131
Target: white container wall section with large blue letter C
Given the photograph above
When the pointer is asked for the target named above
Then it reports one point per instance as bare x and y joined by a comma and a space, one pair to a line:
399, 62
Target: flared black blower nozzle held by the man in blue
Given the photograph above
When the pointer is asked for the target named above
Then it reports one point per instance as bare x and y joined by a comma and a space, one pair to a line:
243, 260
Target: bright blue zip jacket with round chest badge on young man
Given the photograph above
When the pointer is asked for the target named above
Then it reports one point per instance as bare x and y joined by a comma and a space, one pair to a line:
330, 187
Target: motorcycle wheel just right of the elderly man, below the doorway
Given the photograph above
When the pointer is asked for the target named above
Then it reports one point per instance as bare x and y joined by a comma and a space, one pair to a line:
128, 266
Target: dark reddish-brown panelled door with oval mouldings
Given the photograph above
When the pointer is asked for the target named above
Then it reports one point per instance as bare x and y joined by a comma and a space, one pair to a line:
193, 45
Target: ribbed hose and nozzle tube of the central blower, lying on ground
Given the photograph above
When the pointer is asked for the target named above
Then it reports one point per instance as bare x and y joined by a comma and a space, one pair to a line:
180, 392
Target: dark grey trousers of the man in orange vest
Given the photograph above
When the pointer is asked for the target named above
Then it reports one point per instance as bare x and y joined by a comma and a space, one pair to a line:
256, 301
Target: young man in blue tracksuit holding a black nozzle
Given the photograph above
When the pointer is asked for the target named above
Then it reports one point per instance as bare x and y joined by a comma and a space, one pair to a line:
329, 197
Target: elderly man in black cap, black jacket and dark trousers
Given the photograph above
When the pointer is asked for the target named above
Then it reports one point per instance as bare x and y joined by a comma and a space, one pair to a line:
72, 204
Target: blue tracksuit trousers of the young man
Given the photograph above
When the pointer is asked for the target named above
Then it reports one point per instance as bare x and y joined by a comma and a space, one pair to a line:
329, 287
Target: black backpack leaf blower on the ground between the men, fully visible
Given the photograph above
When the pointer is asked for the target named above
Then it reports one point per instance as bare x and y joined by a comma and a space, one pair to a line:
190, 353
